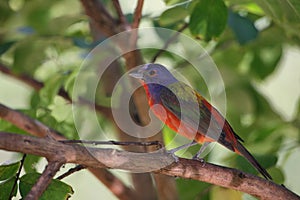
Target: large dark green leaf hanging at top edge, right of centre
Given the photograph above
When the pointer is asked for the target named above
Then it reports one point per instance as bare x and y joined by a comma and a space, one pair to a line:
208, 19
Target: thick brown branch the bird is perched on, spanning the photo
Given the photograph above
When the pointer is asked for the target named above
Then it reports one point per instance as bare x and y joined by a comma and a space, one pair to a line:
138, 162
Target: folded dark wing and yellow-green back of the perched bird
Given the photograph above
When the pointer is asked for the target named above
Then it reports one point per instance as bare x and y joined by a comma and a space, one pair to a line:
186, 105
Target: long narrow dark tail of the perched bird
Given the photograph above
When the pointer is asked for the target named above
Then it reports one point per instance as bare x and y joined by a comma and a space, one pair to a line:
244, 152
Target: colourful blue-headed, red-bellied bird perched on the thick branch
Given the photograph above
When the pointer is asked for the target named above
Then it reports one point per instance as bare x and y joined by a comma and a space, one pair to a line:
185, 111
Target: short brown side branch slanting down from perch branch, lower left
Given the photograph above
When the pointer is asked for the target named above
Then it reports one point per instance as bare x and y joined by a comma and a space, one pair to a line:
44, 180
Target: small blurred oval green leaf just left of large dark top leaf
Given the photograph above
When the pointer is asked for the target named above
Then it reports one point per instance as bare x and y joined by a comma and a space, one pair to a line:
173, 15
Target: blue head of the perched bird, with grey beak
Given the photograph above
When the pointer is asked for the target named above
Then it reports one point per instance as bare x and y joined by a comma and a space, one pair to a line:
153, 73
